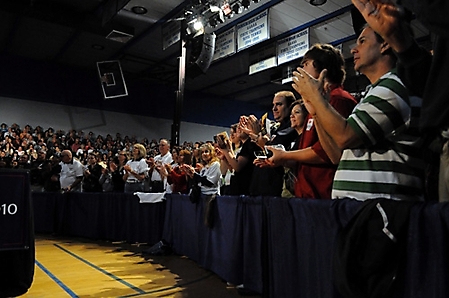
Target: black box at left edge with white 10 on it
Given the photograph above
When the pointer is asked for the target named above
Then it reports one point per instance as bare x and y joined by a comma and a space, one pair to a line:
17, 233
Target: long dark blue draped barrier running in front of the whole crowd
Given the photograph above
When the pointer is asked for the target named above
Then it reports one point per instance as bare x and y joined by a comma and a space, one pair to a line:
278, 247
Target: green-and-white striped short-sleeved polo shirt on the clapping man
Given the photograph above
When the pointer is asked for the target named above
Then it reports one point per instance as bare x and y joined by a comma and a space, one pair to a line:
389, 164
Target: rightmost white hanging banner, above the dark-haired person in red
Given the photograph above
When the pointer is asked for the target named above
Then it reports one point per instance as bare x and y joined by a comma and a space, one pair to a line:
293, 47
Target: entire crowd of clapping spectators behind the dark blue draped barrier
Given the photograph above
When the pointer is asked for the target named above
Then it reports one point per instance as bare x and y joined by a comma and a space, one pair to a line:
324, 145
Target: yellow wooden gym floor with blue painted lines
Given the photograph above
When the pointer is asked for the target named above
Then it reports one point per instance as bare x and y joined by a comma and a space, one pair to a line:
82, 268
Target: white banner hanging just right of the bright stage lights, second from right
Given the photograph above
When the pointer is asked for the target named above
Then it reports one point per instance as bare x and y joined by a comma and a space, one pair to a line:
253, 31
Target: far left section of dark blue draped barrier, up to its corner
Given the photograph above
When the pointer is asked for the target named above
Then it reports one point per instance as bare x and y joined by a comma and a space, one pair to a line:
102, 216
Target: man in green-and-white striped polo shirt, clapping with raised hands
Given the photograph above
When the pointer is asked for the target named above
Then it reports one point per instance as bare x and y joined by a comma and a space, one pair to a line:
377, 148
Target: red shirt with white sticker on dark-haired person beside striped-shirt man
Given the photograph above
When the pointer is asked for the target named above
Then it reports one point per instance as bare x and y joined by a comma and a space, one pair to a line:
315, 180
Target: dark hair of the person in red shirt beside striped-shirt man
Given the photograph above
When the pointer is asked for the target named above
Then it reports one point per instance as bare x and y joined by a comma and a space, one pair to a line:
325, 56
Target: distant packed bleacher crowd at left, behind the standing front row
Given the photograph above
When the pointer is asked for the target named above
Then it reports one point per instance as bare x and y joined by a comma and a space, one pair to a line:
39, 150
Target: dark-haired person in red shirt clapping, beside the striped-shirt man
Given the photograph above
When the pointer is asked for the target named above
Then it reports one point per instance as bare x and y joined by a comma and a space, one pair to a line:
315, 170
